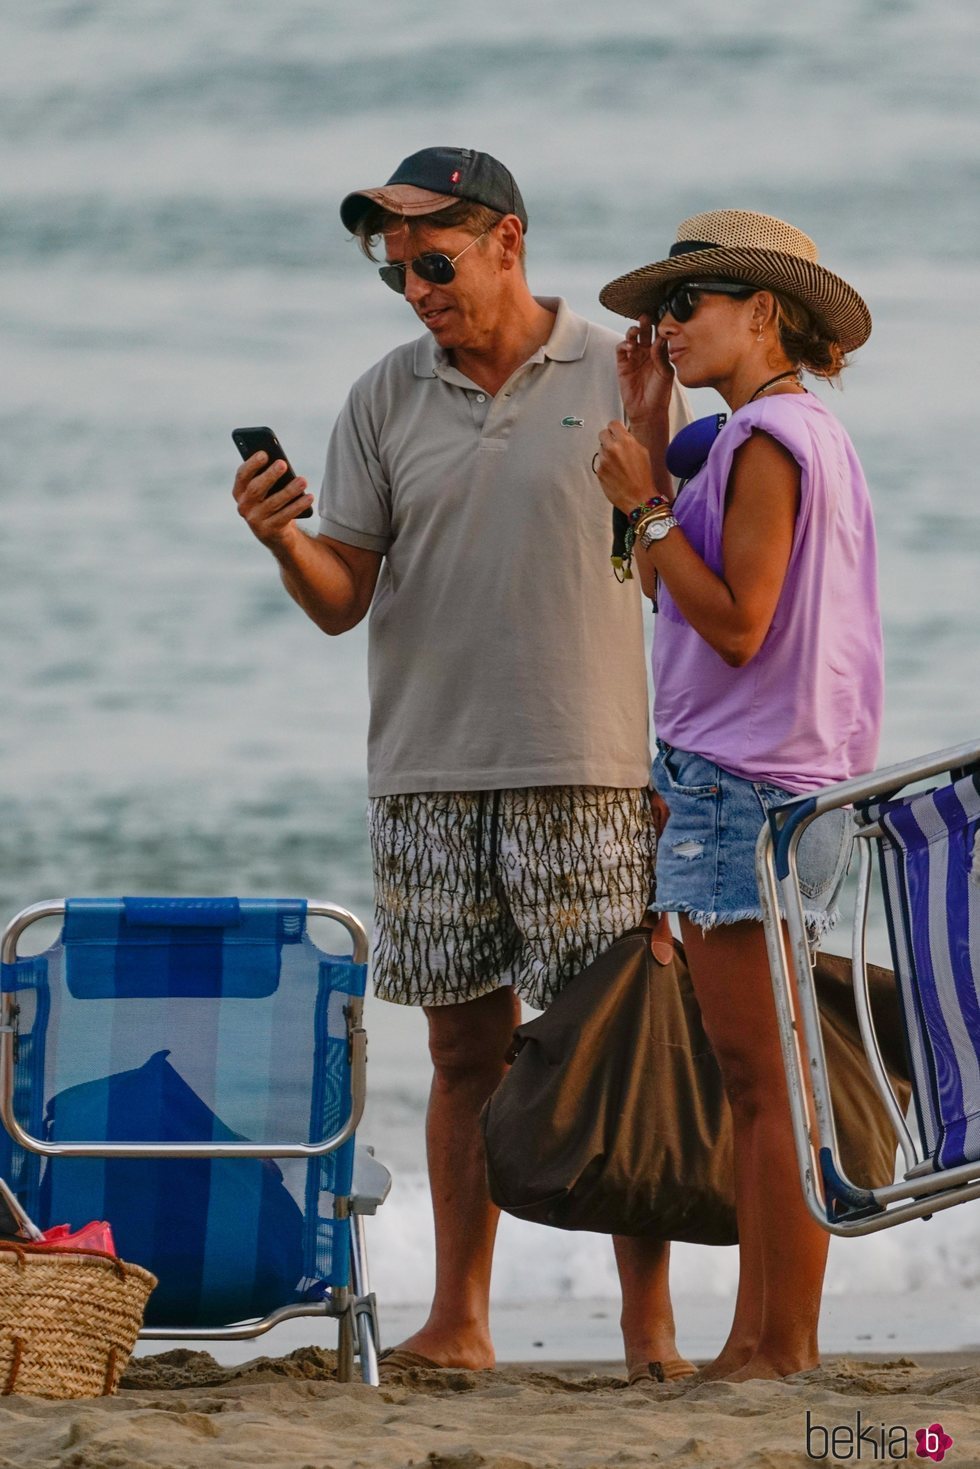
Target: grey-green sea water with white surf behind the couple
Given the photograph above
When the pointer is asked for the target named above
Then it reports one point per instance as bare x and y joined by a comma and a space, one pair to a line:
174, 267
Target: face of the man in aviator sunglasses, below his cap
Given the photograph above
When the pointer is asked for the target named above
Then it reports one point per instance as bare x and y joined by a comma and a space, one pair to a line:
462, 314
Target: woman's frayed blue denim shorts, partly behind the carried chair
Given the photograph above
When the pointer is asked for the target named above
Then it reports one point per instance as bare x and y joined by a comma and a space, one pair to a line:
706, 857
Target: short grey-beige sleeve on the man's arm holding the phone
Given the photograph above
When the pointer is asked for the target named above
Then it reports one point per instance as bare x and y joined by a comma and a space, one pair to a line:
355, 497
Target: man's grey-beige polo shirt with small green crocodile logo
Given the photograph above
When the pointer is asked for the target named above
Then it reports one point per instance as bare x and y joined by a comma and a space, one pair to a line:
502, 649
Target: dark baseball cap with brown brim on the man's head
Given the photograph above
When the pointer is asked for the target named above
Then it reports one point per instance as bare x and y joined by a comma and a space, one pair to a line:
433, 180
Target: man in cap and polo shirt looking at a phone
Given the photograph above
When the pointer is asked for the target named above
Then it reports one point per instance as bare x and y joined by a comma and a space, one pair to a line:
509, 748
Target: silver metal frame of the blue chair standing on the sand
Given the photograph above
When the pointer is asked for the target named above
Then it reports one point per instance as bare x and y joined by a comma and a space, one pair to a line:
355, 1305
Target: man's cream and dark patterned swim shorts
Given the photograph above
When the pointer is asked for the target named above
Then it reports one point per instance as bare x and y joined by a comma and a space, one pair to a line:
489, 888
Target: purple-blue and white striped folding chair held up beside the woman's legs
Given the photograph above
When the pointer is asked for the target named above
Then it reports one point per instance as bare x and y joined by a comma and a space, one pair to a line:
926, 848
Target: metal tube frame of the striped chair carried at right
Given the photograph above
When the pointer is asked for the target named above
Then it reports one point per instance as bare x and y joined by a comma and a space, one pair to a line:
832, 1198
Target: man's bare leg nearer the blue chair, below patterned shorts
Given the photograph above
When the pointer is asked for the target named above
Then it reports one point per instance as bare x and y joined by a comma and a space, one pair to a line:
468, 1045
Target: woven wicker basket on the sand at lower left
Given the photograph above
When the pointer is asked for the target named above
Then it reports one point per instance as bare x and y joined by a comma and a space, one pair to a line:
68, 1320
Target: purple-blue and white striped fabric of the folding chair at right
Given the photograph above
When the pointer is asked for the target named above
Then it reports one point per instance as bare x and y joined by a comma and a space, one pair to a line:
931, 867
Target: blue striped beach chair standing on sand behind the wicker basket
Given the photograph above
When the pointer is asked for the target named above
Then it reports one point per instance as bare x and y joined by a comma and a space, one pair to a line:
193, 1072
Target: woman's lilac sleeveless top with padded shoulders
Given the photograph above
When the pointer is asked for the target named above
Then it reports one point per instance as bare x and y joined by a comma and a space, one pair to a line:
807, 709
